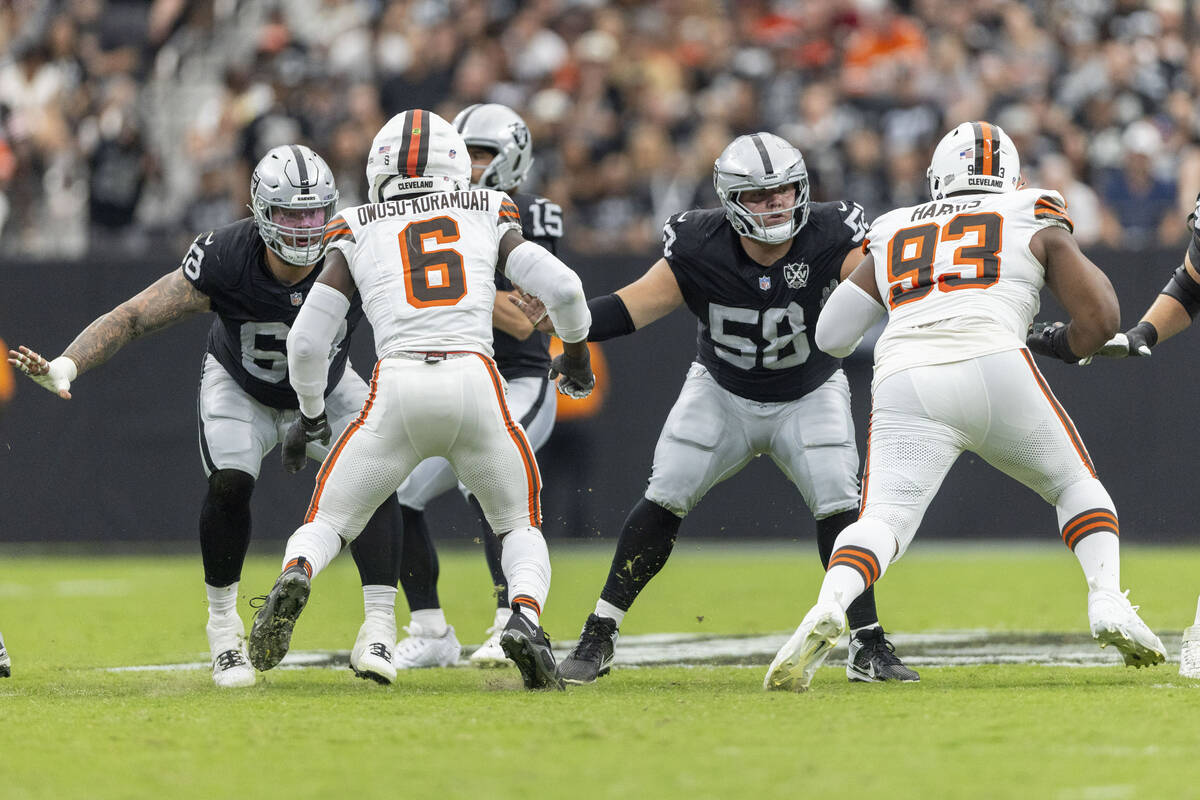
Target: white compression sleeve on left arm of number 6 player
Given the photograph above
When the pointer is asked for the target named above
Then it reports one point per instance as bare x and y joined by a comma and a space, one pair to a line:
309, 345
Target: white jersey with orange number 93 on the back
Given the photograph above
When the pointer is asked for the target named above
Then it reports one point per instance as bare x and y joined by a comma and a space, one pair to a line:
957, 275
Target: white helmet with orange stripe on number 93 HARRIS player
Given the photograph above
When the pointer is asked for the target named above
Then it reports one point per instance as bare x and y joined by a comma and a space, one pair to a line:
974, 158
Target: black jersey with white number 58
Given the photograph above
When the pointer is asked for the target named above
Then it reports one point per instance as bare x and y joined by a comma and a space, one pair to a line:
757, 323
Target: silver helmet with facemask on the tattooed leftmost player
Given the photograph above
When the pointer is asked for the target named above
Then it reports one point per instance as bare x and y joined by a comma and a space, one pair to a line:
293, 196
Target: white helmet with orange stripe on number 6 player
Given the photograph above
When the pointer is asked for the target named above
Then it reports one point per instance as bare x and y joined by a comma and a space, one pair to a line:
415, 153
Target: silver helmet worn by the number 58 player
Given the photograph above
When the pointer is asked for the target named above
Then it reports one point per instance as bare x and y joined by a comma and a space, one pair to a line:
760, 161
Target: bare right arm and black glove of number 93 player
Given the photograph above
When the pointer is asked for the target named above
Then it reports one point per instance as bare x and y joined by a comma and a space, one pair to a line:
1084, 292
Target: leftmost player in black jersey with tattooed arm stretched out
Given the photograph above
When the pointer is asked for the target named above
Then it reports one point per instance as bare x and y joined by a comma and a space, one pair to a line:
255, 275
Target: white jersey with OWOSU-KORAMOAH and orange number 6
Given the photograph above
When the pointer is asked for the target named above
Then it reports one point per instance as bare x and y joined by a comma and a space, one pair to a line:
425, 267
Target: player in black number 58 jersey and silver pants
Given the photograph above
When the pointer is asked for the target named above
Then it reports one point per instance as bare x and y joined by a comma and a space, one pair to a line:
755, 273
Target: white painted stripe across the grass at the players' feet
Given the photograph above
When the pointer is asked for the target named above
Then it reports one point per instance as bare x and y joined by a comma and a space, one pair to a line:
933, 649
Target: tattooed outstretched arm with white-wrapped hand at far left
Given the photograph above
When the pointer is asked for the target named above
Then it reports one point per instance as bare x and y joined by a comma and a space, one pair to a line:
163, 304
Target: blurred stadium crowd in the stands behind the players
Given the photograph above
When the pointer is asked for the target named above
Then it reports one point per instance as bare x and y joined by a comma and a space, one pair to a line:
125, 123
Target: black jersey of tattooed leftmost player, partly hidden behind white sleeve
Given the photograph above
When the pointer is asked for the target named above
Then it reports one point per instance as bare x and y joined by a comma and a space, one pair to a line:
255, 312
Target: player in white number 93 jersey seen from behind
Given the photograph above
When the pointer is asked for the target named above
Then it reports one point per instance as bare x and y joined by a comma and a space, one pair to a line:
961, 280
